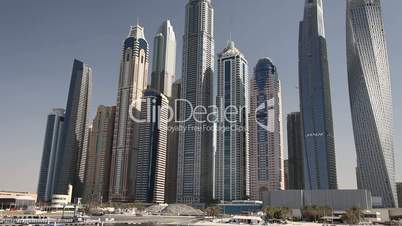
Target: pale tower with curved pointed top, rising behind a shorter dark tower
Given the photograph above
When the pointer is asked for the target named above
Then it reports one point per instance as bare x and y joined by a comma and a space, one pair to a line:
164, 59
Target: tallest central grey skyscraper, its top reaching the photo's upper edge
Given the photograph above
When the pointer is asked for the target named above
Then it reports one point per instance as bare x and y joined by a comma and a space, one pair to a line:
194, 176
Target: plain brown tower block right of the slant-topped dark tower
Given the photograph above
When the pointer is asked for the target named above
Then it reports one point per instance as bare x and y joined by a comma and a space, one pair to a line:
99, 156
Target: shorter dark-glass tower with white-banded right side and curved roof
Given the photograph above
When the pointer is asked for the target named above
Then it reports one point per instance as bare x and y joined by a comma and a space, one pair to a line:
152, 140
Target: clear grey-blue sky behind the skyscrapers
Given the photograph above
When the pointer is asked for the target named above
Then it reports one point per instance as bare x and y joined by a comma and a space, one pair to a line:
39, 40
